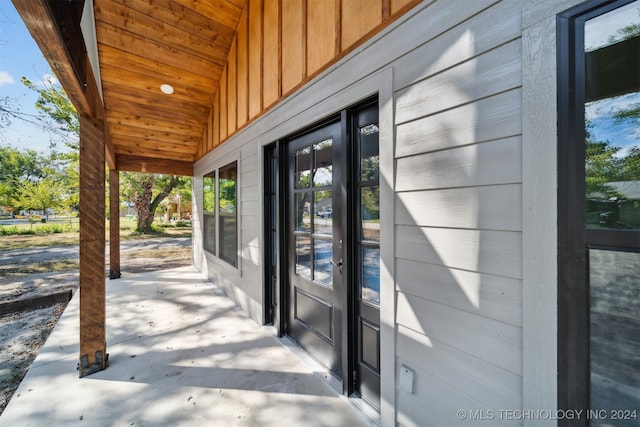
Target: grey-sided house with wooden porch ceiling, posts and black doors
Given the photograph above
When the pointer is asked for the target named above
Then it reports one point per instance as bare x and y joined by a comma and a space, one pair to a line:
456, 279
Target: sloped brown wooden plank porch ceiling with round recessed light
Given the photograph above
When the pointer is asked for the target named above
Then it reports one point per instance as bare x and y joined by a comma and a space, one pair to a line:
143, 44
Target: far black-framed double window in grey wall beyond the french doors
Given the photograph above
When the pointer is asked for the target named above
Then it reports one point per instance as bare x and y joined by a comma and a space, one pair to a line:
220, 228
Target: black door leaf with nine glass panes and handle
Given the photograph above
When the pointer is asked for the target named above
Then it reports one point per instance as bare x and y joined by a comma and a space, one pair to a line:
315, 242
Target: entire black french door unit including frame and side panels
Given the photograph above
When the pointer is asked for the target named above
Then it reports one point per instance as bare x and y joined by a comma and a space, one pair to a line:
322, 234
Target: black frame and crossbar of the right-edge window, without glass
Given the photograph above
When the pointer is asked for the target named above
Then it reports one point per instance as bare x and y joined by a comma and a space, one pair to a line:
574, 239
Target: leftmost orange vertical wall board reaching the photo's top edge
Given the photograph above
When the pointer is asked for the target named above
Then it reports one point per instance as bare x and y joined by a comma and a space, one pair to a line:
255, 58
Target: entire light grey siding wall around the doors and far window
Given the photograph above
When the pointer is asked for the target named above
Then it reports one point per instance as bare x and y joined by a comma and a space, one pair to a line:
451, 82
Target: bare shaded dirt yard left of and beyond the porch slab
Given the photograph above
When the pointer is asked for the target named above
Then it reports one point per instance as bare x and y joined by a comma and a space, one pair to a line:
32, 272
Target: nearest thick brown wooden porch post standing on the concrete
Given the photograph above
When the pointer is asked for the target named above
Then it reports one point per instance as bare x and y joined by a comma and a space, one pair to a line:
93, 357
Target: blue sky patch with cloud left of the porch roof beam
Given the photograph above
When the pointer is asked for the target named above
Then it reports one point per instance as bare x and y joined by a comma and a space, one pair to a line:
20, 56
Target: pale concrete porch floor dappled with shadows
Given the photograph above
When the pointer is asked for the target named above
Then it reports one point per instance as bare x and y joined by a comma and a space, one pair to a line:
180, 354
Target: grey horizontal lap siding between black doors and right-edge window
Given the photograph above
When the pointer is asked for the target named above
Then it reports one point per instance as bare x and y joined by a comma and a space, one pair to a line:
458, 213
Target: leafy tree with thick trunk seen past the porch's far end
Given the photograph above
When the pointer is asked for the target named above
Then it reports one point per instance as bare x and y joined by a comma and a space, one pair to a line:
139, 188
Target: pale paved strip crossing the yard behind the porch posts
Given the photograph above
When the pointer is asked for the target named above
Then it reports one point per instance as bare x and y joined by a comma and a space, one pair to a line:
34, 255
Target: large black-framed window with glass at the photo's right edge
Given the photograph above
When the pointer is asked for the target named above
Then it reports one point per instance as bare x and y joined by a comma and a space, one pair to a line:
599, 210
